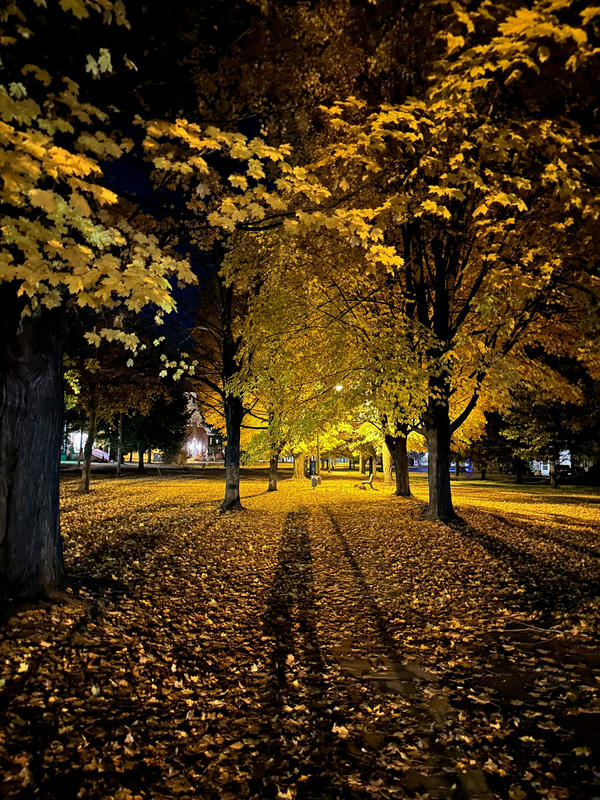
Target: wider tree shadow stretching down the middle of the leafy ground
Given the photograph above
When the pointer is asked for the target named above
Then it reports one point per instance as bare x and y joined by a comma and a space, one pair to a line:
299, 744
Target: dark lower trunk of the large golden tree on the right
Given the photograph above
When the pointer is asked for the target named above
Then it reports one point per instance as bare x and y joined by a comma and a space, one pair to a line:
438, 443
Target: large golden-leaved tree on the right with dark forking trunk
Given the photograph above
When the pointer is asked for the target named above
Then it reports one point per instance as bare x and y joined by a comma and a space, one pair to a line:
472, 170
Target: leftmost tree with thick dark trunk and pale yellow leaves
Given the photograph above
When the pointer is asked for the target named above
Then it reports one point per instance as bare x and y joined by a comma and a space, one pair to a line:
65, 245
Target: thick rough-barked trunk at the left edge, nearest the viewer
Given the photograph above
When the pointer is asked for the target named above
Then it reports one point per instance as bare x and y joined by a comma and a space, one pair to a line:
31, 422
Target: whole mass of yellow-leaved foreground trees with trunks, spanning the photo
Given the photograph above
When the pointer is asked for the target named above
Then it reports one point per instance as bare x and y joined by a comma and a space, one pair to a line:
399, 202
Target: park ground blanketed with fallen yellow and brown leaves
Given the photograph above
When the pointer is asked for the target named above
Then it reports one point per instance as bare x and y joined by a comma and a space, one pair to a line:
327, 643
